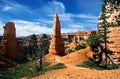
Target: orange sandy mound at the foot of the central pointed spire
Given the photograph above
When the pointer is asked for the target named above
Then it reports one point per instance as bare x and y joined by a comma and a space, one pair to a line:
73, 58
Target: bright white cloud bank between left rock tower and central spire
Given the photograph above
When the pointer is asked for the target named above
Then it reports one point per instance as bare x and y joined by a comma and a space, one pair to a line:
25, 28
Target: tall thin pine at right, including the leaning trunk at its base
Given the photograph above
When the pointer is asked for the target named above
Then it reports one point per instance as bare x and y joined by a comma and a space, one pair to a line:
103, 31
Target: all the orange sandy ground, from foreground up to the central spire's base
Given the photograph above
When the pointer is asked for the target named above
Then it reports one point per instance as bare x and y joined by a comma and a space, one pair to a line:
74, 72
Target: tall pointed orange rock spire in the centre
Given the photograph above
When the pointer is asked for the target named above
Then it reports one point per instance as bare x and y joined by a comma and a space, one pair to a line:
56, 44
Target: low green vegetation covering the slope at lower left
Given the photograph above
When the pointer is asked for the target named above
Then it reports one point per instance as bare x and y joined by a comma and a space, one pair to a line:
29, 70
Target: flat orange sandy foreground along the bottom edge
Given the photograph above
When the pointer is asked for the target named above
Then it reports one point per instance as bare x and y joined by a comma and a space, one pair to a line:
79, 73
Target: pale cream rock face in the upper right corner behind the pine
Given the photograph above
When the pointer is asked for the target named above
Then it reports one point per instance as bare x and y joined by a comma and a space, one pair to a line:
112, 13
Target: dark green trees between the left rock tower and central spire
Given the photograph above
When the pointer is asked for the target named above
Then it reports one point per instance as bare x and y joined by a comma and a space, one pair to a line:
32, 51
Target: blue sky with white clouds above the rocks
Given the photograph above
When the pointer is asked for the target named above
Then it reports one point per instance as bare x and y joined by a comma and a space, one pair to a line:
36, 16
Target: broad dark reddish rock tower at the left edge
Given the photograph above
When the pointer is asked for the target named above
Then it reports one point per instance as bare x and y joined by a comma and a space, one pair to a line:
9, 46
